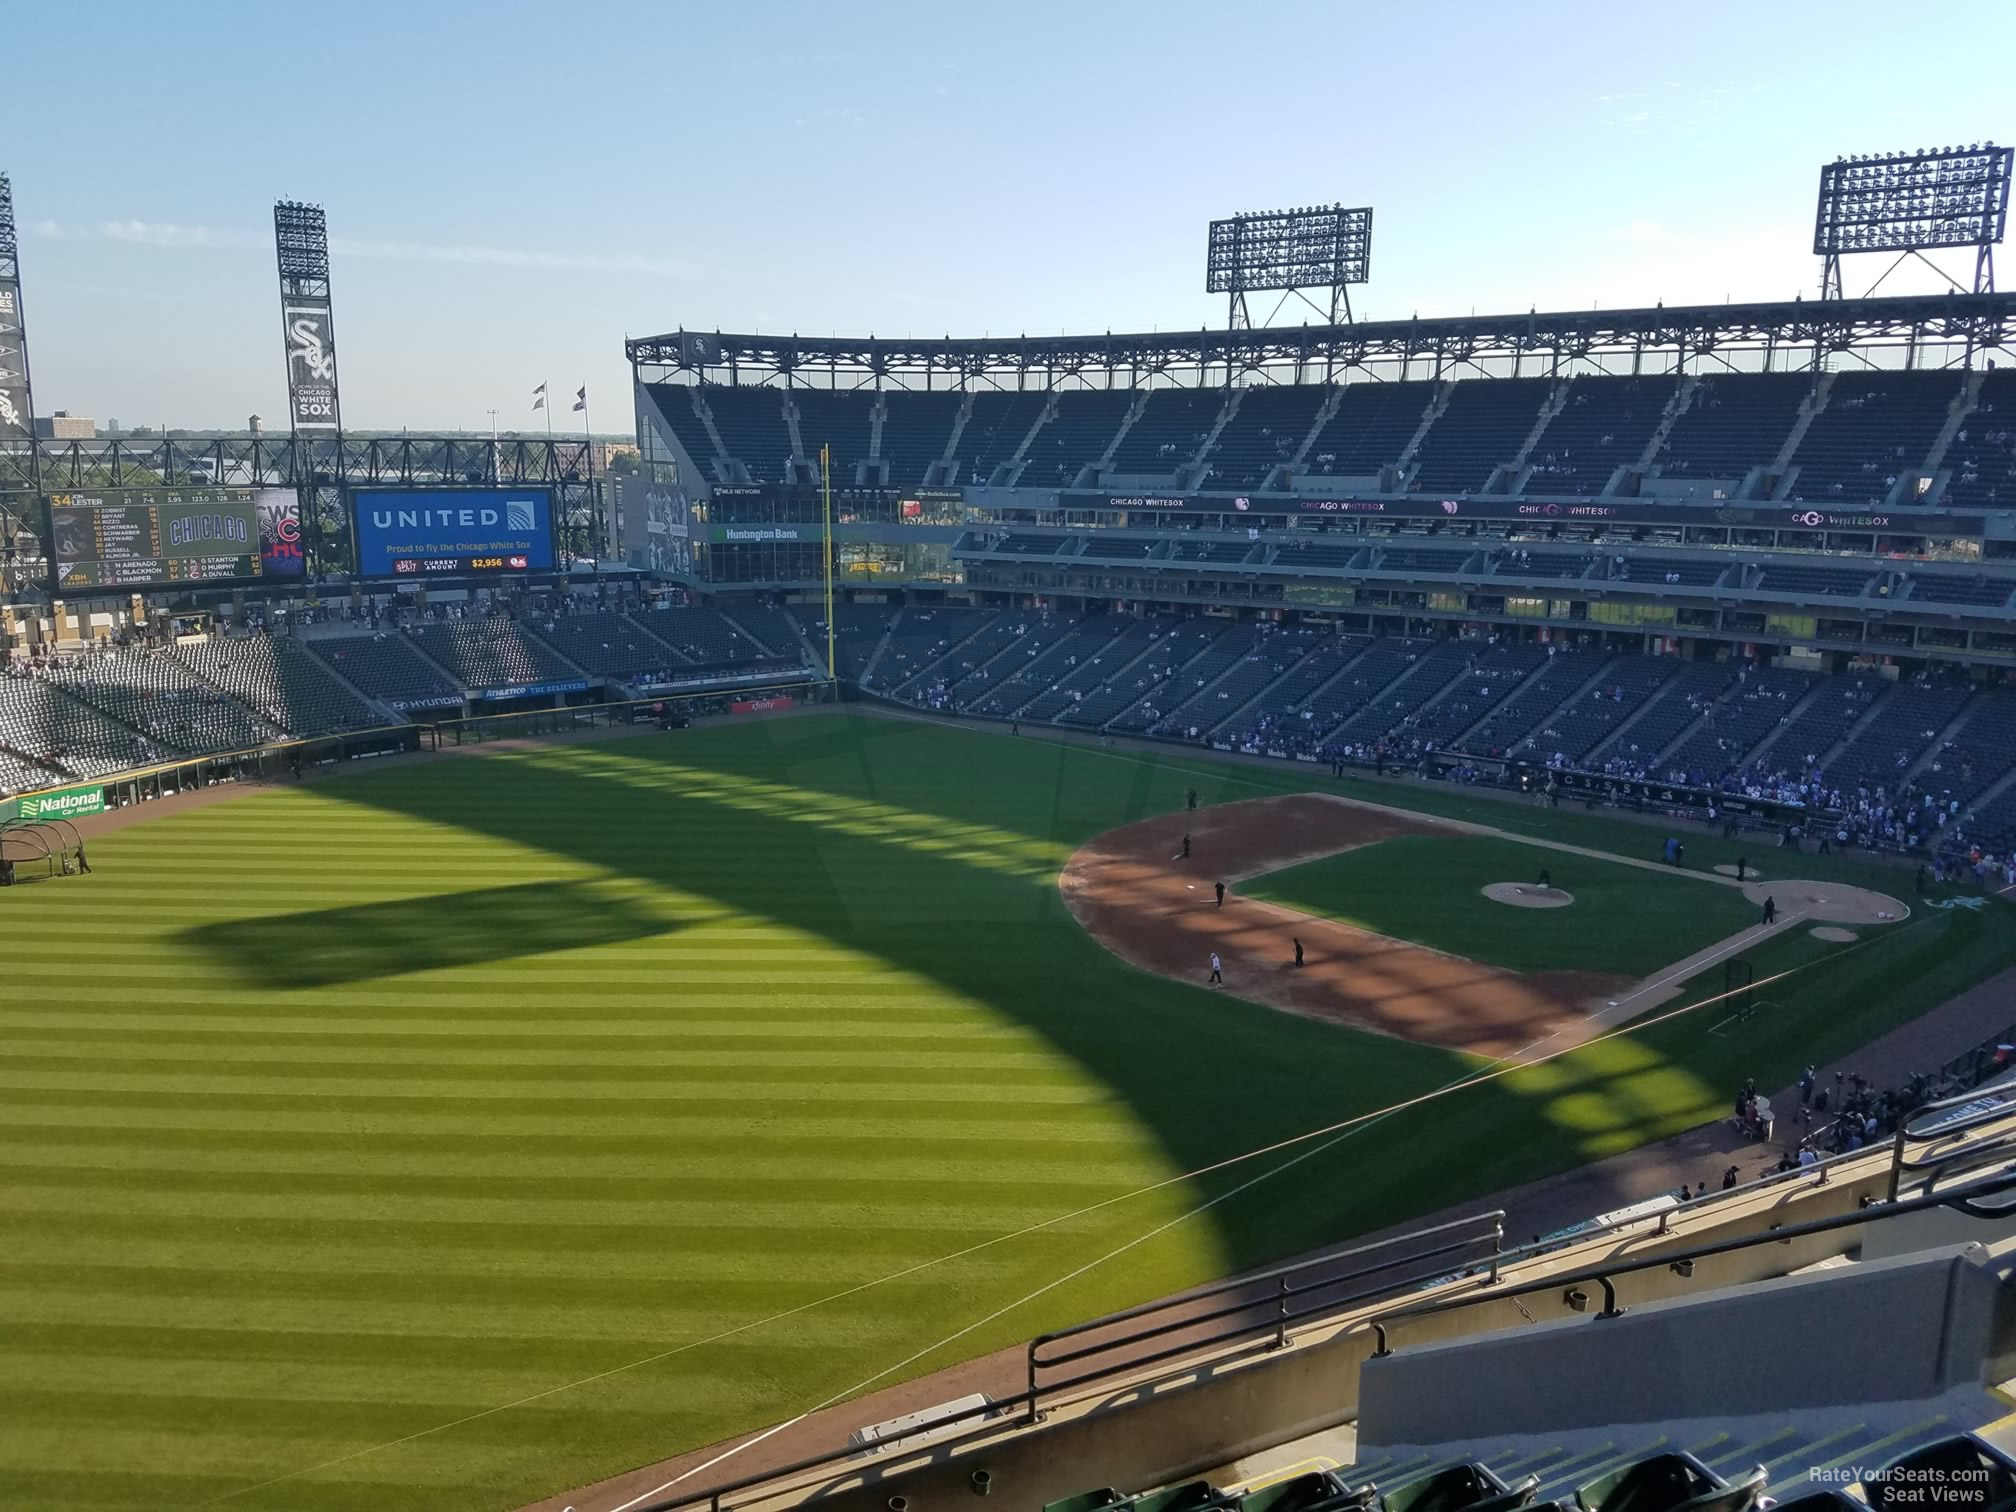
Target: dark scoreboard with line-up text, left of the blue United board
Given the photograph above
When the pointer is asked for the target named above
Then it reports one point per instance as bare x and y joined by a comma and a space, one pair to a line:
140, 537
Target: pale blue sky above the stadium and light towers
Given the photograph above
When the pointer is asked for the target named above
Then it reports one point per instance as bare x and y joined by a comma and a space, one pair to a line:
515, 188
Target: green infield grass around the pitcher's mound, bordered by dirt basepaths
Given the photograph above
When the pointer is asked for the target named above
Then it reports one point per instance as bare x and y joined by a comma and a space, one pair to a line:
1426, 888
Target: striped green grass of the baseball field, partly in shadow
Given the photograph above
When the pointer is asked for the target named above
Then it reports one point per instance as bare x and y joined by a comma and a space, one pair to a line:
453, 1134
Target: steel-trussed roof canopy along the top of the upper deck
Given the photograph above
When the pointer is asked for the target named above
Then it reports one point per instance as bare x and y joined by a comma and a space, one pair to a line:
1918, 330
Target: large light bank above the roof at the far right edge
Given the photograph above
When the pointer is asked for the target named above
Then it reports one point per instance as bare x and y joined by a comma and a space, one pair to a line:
1914, 205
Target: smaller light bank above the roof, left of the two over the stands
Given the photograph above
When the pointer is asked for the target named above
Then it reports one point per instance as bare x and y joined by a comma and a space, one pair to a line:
1293, 253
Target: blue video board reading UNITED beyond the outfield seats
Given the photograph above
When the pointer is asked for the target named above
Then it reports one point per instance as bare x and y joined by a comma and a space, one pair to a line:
434, 531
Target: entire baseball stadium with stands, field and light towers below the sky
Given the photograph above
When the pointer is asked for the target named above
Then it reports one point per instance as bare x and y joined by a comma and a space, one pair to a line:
1384, 916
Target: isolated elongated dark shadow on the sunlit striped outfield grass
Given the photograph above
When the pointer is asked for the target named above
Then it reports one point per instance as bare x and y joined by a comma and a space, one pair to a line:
422, 934
